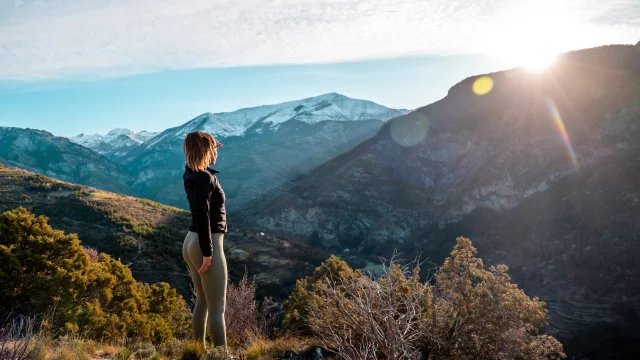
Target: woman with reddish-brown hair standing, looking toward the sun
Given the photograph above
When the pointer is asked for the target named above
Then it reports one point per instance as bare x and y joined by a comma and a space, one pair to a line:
202, 249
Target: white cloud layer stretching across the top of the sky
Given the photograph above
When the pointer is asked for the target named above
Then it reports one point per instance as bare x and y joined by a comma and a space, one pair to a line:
42, 39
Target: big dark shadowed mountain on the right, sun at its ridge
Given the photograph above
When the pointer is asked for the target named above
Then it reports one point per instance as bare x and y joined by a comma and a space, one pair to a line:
541, 173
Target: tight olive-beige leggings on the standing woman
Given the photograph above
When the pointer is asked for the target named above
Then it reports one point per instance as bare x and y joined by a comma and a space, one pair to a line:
210, 287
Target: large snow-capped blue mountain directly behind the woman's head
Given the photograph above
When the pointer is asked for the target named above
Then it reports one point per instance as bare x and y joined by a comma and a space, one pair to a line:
265, 148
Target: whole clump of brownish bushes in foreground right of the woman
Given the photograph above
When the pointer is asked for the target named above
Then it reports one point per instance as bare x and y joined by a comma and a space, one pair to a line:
468, 312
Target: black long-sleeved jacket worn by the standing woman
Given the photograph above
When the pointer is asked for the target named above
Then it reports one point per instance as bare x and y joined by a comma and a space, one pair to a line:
206, 201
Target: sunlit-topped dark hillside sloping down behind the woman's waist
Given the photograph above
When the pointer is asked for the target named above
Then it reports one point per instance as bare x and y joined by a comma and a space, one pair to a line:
148, 236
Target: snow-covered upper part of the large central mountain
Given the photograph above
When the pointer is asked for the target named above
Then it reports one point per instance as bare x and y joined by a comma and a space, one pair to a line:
330, 106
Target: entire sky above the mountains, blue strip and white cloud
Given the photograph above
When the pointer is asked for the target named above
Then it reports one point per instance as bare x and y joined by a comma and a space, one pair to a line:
71, 66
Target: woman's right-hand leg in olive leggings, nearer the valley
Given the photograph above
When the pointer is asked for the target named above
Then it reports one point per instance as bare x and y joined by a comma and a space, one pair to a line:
214, 282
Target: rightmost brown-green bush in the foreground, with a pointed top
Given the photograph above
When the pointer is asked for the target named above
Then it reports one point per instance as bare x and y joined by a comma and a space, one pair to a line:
480, 314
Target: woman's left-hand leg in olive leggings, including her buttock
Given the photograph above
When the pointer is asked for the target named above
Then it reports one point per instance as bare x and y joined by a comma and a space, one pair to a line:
199, 316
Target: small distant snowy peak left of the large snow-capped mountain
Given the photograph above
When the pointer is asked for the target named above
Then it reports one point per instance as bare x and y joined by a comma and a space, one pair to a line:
118, 142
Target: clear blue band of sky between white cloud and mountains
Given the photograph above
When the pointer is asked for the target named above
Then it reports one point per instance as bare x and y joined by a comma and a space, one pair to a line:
157, 101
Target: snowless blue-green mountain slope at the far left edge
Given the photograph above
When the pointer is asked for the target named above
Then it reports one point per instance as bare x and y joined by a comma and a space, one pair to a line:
60, 158
